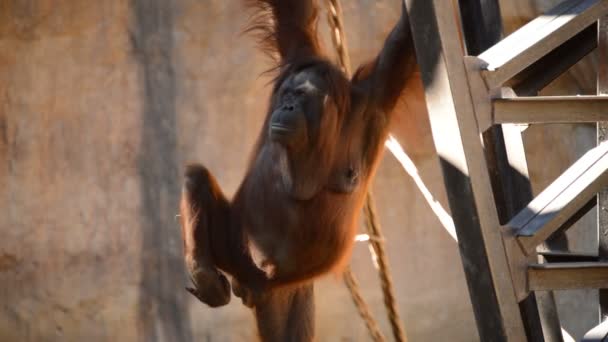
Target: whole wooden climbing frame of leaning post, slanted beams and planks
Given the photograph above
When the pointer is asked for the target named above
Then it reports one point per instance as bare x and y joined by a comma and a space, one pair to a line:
512, 246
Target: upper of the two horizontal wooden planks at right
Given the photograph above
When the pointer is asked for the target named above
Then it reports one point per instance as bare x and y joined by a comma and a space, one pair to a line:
550, 109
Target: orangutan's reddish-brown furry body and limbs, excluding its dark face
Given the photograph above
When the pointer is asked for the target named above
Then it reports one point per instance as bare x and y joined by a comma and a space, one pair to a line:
293, 217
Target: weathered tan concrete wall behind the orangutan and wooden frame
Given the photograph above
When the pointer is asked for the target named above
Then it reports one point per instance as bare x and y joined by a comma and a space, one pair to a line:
101, 105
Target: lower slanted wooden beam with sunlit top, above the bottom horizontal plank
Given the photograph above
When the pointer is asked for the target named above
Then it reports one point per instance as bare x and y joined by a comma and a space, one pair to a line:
561, 199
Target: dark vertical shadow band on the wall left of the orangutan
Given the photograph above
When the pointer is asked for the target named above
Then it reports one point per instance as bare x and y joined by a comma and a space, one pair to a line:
162, 307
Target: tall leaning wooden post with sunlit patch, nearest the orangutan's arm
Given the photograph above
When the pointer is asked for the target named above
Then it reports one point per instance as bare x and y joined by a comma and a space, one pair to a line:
455, 131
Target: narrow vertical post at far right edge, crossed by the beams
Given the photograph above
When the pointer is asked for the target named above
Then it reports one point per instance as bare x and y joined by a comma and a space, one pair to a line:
602, 135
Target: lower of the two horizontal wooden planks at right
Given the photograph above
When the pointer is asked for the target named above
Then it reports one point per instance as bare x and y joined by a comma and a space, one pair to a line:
568, 276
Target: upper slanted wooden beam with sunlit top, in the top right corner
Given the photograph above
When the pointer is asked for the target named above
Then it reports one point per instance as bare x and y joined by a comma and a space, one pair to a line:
537, 38
